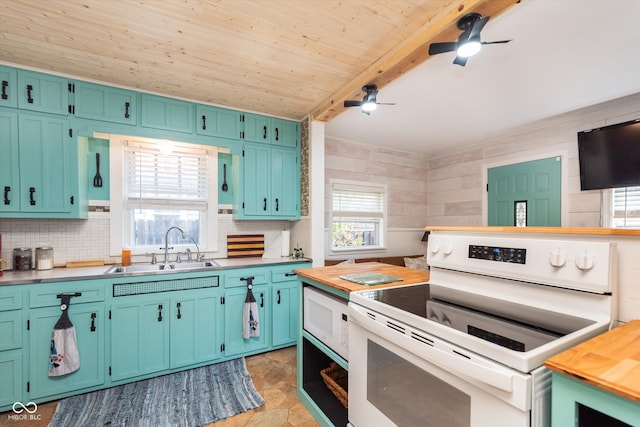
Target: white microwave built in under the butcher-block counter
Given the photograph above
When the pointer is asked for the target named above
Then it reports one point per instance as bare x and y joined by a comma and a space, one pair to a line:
325, 317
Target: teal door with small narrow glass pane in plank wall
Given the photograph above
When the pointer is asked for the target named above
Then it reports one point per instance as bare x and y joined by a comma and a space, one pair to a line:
525, 193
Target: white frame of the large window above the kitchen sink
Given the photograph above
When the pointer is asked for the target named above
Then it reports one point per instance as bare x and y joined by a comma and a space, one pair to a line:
120, 229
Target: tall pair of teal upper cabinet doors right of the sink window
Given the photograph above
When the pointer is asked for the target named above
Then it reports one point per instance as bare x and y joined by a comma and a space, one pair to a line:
269, 186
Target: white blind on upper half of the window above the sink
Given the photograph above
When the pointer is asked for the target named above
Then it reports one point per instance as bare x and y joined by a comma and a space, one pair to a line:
156, 177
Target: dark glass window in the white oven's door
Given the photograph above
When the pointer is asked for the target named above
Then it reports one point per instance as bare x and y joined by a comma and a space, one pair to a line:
408, 395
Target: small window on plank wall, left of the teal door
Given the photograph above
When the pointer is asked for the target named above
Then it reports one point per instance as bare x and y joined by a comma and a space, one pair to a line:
358, 216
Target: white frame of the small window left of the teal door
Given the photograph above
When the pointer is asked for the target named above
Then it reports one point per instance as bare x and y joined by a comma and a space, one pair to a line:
383, 228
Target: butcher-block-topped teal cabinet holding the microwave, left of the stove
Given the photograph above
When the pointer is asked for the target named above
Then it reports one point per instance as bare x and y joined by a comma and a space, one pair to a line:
316, 353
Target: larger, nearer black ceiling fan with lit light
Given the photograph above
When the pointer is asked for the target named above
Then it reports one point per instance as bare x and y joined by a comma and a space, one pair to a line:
469, 42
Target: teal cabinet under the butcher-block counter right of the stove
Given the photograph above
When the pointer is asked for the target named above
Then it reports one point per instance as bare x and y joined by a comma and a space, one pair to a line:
576, 403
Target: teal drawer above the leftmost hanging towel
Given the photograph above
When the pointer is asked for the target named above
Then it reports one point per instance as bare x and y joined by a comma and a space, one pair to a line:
46, 295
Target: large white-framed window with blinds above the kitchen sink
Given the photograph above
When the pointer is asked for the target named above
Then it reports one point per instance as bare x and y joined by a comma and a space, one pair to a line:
164, 184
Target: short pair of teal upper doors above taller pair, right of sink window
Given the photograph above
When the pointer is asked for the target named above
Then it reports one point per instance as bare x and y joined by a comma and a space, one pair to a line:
270, 130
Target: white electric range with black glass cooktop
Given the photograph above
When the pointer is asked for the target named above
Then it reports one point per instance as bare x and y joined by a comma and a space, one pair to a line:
467, 349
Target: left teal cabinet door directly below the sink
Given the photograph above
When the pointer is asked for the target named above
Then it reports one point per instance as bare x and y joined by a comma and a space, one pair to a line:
139, 338
